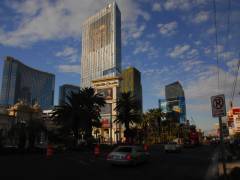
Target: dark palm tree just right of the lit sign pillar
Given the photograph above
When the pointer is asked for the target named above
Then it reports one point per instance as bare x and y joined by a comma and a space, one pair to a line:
128, 112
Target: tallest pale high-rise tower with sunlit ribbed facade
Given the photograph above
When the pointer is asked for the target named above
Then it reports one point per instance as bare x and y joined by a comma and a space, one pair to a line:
101, 45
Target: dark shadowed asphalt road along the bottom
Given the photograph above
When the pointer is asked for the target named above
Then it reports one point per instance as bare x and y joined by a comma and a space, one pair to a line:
190, 164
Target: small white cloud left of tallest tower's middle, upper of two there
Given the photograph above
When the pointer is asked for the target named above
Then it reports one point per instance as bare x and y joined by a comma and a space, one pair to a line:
69, 53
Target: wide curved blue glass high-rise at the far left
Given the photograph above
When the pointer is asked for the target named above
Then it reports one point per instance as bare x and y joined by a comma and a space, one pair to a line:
20, 82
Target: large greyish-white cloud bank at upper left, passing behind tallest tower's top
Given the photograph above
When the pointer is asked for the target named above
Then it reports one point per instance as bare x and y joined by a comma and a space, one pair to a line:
51, 20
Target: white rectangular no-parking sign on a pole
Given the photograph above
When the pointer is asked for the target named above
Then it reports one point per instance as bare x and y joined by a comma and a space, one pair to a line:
218, 106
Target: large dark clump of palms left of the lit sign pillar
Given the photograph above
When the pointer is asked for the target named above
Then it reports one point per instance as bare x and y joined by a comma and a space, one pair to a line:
80, 113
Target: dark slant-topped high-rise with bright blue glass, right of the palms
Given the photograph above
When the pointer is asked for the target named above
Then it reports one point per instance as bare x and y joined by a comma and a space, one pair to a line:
175, 100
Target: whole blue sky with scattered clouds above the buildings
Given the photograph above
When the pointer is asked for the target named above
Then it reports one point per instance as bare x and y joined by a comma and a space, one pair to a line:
167, 40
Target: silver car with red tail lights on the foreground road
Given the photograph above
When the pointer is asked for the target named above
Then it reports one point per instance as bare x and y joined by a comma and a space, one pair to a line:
128, 155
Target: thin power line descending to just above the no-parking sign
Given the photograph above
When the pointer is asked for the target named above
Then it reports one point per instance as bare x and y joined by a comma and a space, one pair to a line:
216, 39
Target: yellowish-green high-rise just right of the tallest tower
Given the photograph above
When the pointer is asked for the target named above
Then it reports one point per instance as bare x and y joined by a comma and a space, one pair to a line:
131, 81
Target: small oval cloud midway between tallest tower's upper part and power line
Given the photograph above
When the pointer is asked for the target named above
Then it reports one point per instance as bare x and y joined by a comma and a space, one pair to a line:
168, 29
